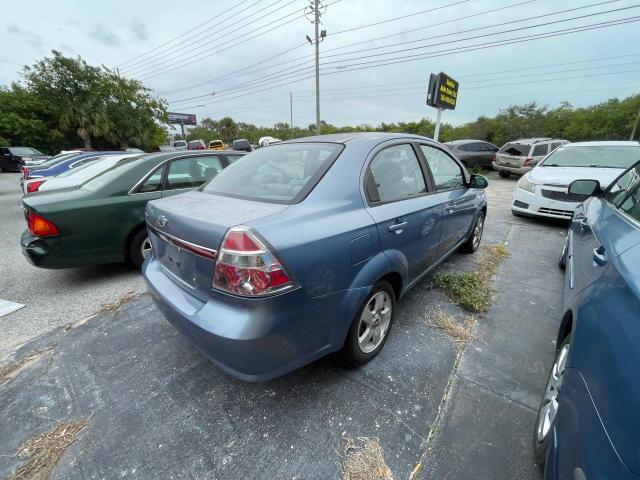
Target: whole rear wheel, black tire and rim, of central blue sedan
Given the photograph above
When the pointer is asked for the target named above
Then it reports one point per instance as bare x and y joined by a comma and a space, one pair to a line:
361, 345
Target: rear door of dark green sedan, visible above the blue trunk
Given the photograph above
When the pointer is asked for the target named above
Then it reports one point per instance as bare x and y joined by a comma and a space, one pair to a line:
186, 173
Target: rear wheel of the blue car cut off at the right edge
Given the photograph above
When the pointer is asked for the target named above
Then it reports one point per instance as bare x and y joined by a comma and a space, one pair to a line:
546, 417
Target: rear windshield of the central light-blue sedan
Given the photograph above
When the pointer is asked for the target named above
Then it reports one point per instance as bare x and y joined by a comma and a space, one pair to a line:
284, 173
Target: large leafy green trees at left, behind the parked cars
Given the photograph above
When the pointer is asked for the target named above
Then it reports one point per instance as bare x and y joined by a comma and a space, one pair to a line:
63, 103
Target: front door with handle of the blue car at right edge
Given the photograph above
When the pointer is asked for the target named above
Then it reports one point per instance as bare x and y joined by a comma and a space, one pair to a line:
597, 233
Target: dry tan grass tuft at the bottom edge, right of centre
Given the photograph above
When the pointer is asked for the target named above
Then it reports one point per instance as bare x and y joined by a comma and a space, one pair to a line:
364, 460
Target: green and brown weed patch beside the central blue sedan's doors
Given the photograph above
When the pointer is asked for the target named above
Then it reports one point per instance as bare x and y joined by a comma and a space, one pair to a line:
473, 290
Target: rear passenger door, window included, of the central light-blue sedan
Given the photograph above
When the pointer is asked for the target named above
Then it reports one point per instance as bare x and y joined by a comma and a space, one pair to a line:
407, 216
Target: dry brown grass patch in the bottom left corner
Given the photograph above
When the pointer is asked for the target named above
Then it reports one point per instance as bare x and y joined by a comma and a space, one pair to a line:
45, 450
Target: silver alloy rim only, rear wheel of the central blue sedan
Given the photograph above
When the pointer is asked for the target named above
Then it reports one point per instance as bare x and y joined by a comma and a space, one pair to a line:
374, 321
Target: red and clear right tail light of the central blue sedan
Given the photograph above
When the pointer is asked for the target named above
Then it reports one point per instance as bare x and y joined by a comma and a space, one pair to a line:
245, 266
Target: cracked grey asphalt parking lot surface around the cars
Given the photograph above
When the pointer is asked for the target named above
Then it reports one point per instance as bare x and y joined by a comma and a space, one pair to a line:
158, 409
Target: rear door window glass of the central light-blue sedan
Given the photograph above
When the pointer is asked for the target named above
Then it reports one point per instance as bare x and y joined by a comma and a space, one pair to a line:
397, 174
